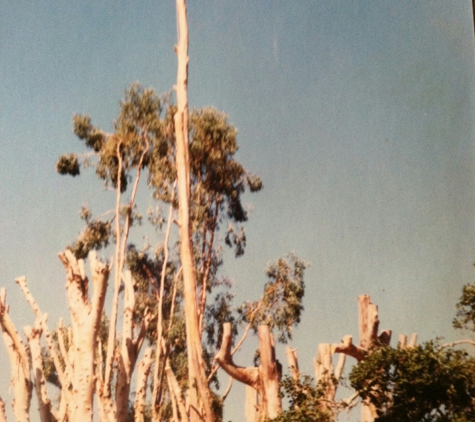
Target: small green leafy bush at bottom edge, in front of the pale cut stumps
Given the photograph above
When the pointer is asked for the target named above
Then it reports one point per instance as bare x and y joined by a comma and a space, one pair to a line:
305, 401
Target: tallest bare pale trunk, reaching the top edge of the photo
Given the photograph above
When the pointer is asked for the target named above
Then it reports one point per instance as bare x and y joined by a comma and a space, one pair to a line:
197, 377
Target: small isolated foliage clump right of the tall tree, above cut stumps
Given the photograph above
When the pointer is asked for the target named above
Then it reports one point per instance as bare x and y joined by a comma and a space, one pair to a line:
281, 303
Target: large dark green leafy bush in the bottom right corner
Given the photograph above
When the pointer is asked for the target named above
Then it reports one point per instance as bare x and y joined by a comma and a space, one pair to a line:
424, 383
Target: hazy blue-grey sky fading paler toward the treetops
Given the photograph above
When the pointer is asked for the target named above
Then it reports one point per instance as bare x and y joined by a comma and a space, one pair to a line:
356, 115
